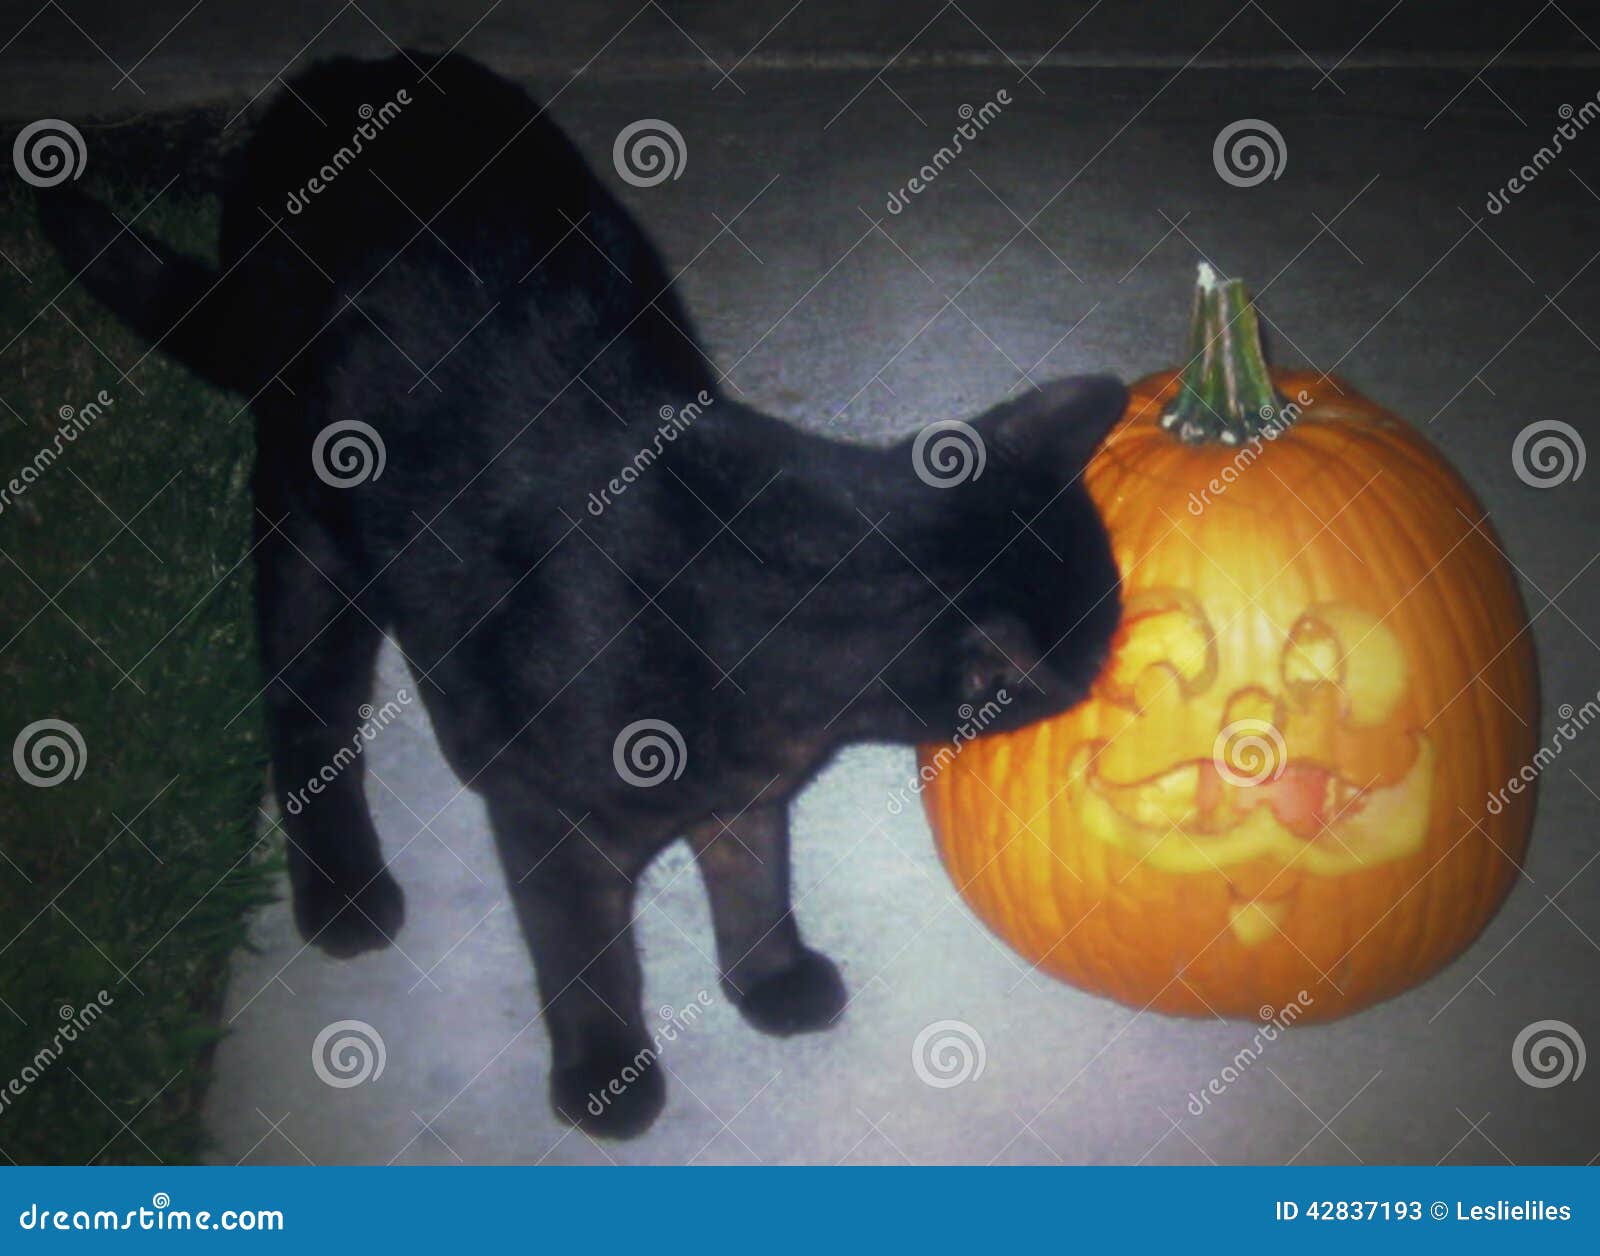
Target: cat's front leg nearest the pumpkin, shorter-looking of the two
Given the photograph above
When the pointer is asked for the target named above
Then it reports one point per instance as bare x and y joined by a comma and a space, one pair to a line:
778, 983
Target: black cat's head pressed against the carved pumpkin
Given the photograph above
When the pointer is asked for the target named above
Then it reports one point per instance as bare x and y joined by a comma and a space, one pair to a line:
1020, 559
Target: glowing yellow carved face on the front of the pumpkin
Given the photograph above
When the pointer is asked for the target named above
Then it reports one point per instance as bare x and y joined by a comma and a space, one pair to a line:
1322, 774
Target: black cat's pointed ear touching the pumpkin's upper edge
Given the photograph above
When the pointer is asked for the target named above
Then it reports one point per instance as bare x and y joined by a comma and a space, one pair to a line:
1058, 425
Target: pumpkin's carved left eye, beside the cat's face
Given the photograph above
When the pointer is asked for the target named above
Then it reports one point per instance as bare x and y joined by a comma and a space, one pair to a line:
1166, 639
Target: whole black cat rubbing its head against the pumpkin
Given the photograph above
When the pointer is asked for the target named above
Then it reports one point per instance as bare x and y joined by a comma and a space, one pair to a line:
638, 610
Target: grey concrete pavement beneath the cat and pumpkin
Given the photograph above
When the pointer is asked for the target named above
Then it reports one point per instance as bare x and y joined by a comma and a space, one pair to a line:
1065, 239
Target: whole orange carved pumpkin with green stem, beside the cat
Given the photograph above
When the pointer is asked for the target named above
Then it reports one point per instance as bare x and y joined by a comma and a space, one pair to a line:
1281, 780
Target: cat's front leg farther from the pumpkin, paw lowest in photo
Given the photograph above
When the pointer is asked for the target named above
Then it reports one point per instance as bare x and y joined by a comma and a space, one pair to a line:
575, 905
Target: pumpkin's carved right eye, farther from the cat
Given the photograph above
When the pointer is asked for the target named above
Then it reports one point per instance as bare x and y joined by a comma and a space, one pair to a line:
1354, 652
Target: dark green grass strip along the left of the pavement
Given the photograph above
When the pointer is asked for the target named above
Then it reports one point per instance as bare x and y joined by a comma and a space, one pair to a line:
135, 878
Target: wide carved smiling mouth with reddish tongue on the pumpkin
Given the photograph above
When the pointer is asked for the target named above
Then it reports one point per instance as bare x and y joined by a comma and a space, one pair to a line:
1193, 820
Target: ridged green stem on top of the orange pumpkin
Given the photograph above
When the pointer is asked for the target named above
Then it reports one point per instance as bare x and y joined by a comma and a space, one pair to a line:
1226, 393
